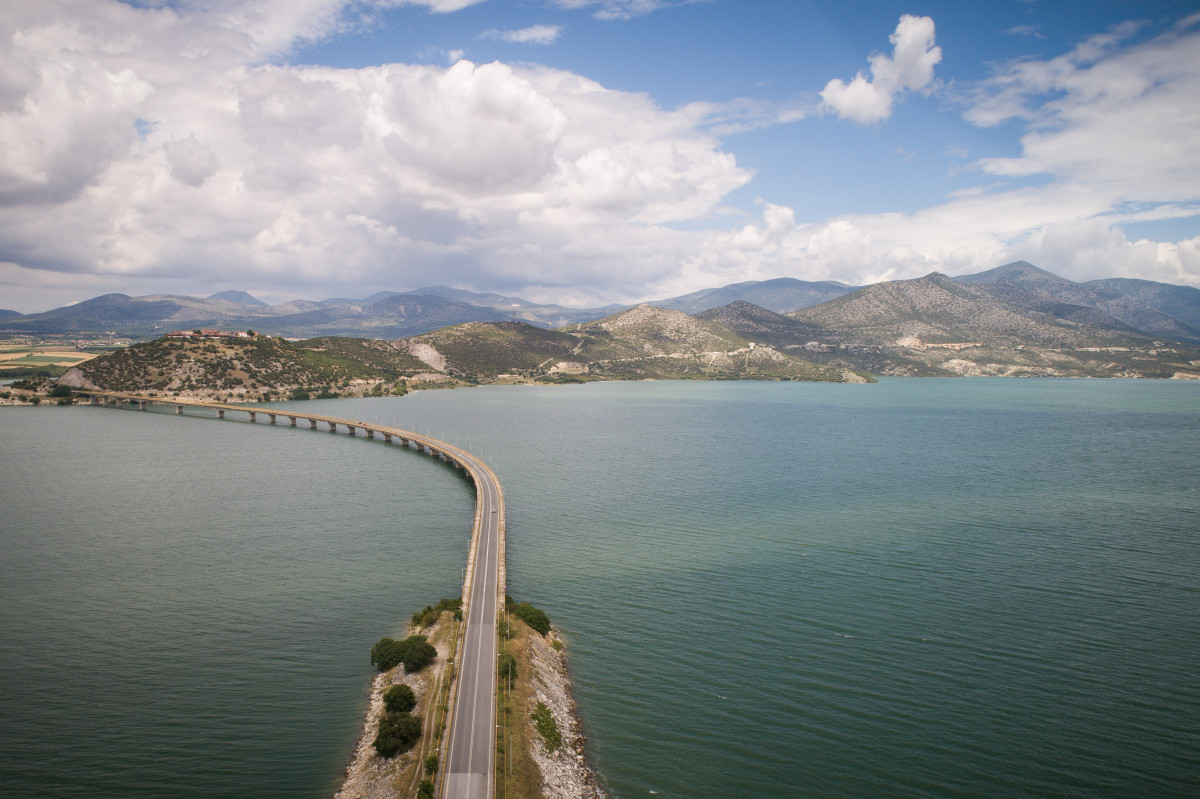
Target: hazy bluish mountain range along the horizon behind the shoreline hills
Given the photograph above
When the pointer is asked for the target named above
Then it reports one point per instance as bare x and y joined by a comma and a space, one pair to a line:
1015, 291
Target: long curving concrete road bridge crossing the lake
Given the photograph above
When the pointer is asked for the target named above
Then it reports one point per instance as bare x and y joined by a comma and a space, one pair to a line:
467, 766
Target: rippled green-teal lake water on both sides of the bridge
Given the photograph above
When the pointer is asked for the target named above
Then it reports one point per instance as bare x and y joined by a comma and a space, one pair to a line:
941, 588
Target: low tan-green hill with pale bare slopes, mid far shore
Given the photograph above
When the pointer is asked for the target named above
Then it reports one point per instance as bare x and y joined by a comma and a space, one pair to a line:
639, 344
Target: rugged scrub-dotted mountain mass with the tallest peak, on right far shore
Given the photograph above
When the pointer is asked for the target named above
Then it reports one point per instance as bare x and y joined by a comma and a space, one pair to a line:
1012, 327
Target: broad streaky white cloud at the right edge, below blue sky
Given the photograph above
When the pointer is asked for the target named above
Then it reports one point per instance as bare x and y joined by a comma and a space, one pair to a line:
1121, 122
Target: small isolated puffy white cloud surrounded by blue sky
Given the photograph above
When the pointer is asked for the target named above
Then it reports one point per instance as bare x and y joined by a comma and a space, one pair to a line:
910, 68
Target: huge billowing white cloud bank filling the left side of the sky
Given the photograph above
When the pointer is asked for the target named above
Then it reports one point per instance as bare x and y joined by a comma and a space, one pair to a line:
215, 164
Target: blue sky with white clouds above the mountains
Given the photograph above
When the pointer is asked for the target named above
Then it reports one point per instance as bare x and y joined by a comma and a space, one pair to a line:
589, 152
